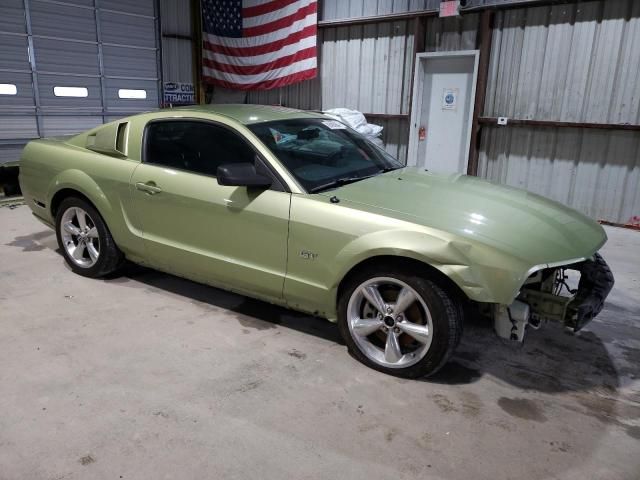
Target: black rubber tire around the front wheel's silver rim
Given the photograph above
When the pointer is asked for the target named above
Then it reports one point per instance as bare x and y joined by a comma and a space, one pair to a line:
446, 316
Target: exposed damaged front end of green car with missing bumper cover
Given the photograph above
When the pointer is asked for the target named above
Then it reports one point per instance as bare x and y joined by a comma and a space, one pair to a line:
546, 295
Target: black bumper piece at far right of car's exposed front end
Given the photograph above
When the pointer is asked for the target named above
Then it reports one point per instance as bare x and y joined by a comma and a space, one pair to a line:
596, 281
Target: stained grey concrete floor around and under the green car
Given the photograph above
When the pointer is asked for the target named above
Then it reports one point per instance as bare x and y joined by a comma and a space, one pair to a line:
149, 376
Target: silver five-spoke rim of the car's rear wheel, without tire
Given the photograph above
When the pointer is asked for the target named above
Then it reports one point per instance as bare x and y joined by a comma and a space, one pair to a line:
80, 237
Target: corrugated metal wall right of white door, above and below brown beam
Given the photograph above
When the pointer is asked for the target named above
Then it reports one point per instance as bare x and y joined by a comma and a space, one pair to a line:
576, 62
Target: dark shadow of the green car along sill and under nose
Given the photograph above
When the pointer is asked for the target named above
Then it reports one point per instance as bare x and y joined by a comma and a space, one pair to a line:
550, 360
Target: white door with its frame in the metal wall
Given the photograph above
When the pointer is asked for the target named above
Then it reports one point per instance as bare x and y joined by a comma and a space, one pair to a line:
442, 110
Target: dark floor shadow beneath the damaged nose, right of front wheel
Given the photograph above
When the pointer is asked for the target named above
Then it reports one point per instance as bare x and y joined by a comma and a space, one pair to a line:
551, 360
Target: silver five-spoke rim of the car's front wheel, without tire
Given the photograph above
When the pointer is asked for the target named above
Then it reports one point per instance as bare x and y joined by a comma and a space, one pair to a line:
389, 322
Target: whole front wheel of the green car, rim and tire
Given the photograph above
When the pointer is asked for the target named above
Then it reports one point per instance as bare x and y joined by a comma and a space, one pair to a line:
399, 323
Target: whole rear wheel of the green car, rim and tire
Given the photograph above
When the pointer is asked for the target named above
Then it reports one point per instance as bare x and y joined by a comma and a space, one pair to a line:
85, 240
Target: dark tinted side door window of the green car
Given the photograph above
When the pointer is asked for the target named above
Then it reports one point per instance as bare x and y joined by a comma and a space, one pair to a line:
194, 146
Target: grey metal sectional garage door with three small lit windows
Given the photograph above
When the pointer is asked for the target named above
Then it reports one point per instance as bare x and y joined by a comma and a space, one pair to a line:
66, 66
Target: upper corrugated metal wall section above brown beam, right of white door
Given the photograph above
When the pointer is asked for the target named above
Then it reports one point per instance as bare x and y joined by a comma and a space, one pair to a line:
570, 62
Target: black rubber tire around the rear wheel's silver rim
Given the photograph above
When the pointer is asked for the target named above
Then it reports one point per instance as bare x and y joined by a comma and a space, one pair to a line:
110, 258
